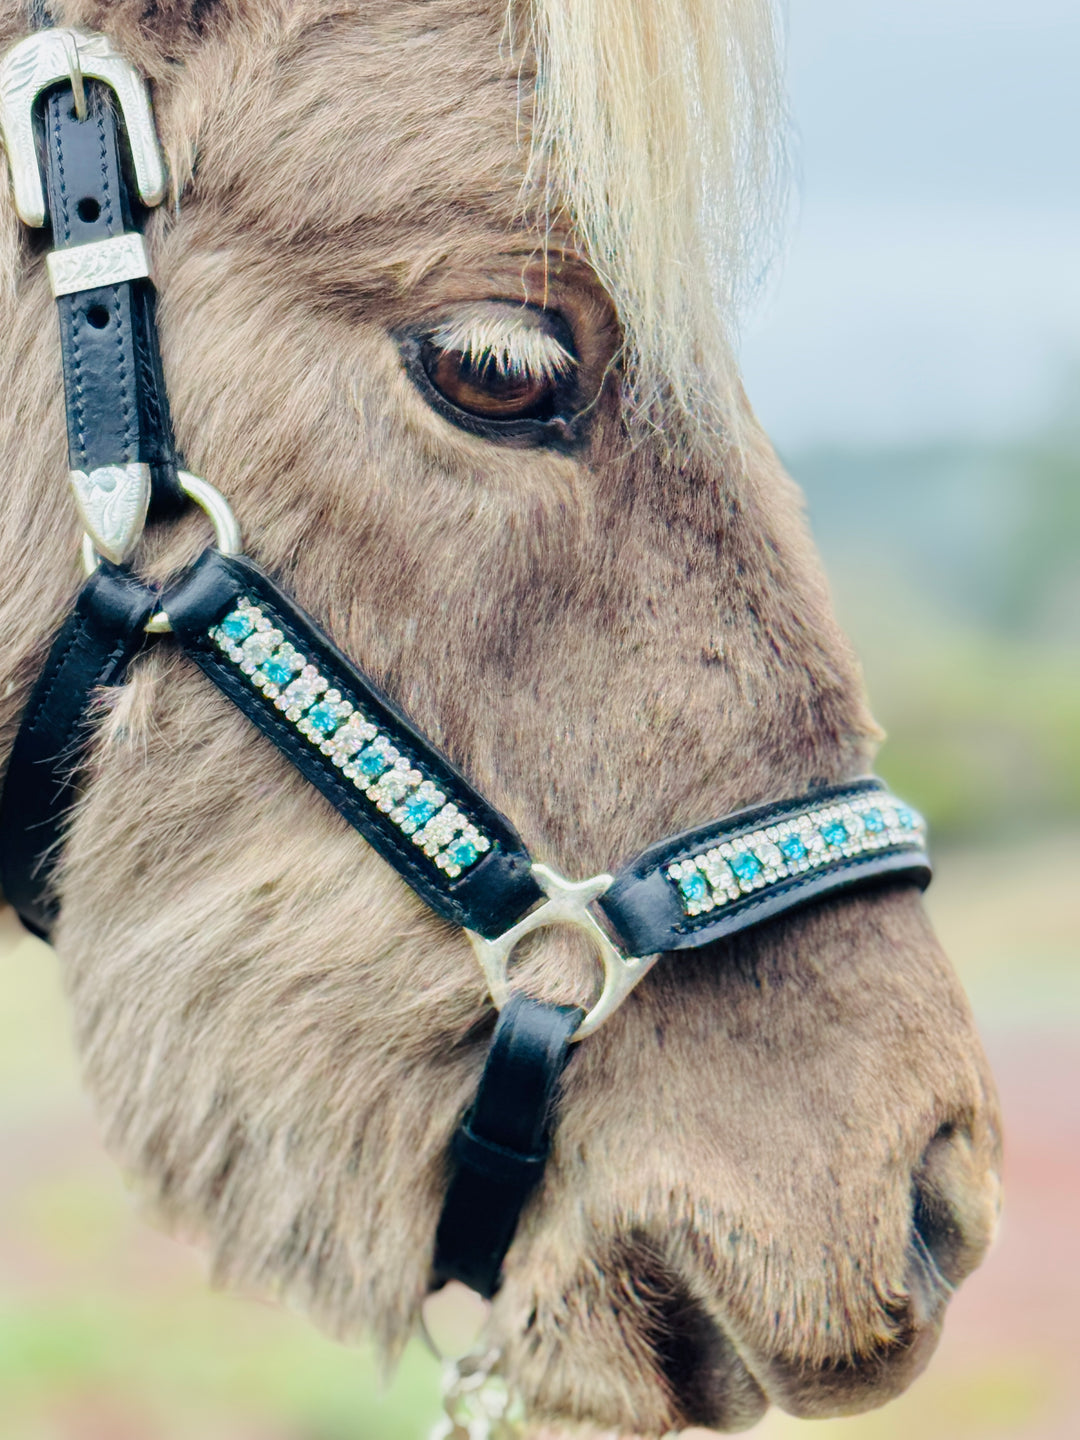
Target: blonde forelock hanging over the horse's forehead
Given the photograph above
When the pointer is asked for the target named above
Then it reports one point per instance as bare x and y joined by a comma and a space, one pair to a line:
660, 133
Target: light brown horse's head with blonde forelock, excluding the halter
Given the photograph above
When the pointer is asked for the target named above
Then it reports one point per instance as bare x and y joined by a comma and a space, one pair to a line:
449, 297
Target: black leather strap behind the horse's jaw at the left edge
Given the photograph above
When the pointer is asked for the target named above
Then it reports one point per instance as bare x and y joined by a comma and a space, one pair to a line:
94, 649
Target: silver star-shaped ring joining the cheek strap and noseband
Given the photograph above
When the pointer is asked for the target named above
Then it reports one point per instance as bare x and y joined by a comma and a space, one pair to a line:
568, 904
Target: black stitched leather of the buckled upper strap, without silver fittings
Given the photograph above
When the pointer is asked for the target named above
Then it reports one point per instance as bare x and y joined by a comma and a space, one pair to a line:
113, 379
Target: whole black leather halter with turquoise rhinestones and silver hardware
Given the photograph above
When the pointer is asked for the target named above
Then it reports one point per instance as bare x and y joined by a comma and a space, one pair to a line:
274, 663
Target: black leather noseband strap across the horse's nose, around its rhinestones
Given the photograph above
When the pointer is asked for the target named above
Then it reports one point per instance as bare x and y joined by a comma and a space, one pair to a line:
644, 905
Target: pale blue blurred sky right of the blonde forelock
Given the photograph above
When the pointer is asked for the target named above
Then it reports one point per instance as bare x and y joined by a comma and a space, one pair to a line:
932, 283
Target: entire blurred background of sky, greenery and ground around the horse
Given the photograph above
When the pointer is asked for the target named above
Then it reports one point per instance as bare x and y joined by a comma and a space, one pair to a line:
919, 372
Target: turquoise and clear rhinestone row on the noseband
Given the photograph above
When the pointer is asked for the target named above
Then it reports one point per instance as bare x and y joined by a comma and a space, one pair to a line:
845, 830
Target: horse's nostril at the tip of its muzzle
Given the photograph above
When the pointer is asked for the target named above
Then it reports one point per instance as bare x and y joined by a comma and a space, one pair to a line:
954, 1209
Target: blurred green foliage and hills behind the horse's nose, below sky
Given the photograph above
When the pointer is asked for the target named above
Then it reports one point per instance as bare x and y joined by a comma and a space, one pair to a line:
957, 571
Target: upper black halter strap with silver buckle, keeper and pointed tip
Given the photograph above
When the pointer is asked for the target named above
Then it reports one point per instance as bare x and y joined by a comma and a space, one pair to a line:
122, 453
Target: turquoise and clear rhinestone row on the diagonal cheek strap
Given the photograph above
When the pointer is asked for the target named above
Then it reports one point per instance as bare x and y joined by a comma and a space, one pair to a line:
341, 729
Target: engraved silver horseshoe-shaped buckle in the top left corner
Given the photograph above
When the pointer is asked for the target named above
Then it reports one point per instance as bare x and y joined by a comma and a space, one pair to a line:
55, 55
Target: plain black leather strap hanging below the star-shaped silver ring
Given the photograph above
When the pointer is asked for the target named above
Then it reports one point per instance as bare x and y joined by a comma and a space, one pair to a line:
503, 1143
